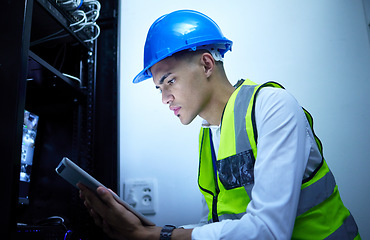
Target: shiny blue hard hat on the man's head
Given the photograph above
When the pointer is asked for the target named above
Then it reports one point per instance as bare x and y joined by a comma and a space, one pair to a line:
177, 31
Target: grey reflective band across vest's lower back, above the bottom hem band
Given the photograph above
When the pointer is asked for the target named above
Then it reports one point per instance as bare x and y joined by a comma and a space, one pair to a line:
316, 193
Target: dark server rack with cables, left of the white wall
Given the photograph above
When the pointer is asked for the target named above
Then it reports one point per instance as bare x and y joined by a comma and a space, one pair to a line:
71, 84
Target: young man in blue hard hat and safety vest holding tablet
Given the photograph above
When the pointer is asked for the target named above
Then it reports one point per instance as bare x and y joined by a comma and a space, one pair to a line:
261, 168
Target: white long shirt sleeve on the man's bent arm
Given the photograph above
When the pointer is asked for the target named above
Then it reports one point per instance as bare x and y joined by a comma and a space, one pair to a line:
283, 148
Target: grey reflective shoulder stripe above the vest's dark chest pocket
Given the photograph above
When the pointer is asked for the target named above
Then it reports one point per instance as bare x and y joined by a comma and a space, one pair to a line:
240, 110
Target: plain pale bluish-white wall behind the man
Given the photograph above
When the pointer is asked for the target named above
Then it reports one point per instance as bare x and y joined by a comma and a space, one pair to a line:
319, 50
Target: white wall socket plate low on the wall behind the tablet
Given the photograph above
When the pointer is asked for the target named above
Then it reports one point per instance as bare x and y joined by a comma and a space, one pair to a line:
141, 194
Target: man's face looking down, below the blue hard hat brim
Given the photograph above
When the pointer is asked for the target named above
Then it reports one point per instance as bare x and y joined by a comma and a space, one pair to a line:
183, 85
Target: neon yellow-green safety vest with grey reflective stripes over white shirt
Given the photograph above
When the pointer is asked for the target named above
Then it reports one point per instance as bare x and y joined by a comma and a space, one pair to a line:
226, 182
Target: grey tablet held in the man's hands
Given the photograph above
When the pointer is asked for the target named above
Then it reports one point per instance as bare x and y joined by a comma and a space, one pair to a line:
74, 174
